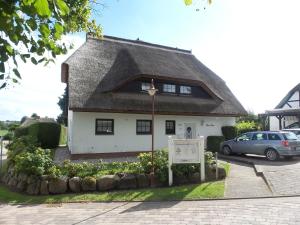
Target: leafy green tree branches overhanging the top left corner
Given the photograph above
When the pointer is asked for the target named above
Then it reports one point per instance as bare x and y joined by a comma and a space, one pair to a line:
32, 30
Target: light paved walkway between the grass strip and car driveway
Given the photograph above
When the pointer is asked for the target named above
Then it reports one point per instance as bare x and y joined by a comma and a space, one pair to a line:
243, 182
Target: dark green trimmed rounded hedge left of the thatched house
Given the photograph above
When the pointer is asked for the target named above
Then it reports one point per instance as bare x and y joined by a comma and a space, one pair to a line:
47, 134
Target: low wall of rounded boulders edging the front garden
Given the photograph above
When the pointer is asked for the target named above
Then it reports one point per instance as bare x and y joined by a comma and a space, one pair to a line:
45, 185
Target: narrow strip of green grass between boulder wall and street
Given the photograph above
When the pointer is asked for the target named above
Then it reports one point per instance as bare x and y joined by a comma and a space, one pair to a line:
185, 192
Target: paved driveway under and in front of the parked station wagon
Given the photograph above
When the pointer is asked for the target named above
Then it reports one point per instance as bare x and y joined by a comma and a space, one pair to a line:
283, 176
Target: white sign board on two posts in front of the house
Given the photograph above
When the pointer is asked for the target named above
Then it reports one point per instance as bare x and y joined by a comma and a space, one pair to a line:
184, 151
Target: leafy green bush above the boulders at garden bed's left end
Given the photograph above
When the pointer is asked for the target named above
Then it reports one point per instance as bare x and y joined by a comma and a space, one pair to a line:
37, 162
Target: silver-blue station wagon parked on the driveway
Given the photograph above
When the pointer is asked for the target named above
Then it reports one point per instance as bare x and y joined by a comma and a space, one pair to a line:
272, 144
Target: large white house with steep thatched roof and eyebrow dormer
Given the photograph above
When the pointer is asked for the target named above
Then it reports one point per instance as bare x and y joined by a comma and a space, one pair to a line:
110, 109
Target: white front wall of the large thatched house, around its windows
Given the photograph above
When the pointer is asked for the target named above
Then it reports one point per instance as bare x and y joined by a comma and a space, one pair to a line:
125, 139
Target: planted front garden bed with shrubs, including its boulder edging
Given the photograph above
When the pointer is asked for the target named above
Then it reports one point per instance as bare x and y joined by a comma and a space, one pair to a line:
31, 170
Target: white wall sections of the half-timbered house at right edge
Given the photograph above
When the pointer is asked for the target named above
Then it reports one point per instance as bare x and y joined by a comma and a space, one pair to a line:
292, 103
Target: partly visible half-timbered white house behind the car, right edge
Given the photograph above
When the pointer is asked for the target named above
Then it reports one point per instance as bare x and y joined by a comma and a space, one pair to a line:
287, 113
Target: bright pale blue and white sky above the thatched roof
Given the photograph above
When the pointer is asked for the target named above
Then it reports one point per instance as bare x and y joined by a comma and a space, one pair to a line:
253, 45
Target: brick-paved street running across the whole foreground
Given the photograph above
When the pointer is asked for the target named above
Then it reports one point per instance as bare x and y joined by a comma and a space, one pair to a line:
251, 211
